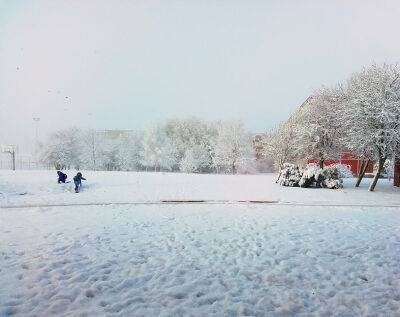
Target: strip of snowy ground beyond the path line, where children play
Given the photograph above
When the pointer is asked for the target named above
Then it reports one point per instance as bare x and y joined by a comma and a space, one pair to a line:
23, 188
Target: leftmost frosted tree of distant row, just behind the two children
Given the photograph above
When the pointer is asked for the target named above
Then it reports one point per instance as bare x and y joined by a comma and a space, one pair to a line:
63, 149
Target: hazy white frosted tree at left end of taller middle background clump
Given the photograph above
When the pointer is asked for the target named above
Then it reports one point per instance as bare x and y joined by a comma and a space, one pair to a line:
158, 150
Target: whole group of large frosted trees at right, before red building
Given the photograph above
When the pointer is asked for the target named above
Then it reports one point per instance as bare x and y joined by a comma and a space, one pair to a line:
360, 116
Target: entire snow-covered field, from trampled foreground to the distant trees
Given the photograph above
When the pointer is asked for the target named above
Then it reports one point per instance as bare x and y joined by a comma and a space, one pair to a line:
308, 253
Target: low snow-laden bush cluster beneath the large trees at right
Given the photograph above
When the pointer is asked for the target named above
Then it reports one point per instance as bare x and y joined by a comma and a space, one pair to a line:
312, 176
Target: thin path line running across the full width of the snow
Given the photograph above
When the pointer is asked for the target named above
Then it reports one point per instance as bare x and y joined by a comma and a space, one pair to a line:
206, 202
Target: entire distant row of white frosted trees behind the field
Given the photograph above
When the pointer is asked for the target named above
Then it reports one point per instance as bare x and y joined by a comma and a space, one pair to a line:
186, 145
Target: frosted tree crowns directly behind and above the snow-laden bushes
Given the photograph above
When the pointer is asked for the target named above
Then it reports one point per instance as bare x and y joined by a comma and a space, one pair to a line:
311, 132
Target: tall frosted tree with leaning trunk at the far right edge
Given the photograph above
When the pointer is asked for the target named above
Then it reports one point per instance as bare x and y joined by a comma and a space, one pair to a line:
372, 114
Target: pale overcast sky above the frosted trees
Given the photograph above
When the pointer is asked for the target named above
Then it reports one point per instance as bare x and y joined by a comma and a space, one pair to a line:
125, 64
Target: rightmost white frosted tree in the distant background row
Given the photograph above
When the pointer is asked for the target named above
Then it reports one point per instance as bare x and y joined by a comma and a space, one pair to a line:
233, 147
